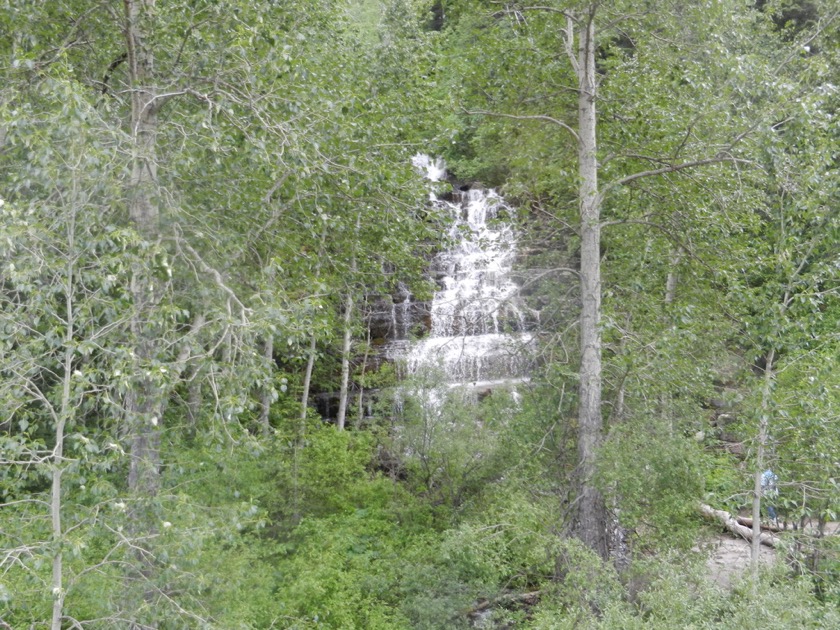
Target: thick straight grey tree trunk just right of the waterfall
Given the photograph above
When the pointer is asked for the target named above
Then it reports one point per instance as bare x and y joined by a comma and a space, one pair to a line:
590, 525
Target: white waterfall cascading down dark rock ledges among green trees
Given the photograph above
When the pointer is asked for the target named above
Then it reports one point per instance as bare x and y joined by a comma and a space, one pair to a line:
477, 331
